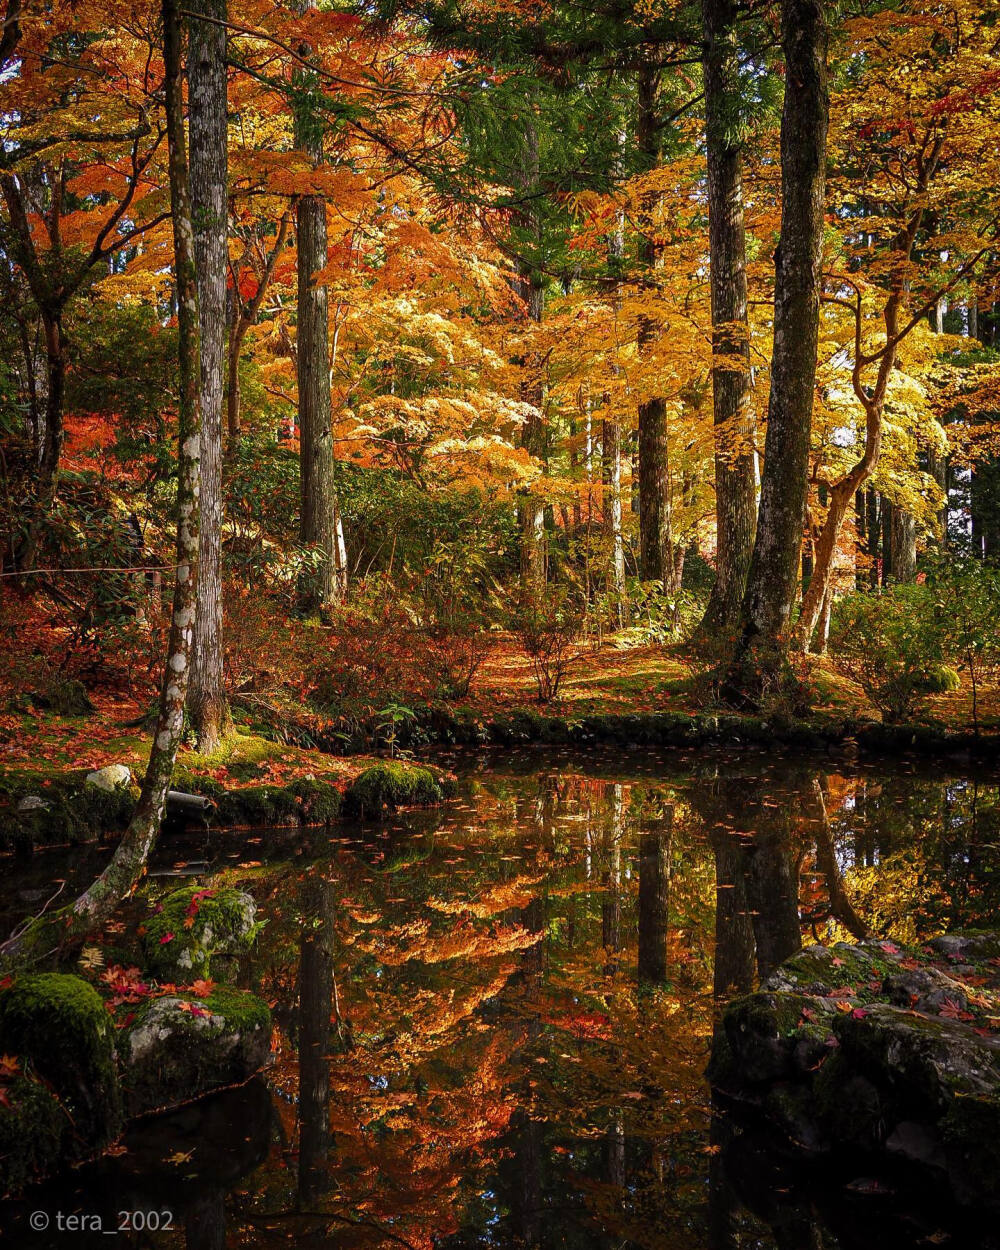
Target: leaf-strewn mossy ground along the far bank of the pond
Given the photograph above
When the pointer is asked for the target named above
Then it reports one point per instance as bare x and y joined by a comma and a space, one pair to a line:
606, 681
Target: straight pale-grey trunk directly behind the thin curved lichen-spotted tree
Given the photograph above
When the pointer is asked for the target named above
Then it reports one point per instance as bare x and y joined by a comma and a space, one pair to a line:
208, 102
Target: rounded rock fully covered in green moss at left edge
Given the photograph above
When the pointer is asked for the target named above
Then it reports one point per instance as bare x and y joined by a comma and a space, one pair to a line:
62, 1026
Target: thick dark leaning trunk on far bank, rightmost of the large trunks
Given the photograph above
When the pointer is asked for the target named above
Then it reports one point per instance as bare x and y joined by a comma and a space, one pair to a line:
774, 564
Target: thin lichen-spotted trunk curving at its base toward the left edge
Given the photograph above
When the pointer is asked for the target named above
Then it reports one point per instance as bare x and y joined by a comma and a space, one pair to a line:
46, 936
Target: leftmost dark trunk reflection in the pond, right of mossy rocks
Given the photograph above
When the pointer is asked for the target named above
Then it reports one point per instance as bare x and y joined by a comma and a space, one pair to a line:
316, 1004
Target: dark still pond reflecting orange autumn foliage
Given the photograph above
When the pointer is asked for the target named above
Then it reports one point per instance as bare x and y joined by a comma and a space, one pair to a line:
492, 1022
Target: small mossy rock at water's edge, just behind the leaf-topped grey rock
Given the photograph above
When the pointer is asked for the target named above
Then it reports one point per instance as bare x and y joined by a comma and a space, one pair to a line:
193, 926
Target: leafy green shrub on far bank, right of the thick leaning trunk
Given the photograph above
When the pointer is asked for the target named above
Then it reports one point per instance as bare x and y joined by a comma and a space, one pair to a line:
892, 644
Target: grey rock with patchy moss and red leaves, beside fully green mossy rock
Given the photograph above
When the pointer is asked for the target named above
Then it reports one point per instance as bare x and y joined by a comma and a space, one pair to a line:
179, 1048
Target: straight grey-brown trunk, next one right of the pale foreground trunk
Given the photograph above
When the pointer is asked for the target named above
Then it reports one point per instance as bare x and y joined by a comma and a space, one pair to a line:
319, 504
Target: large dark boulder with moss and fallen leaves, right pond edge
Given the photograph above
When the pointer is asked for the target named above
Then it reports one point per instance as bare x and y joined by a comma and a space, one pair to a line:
878, 1051
